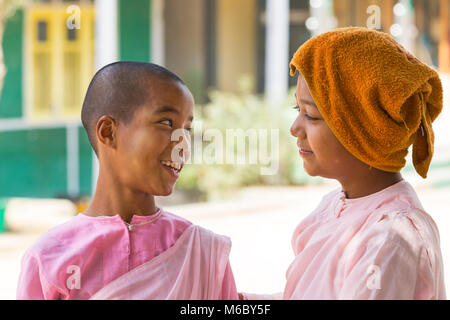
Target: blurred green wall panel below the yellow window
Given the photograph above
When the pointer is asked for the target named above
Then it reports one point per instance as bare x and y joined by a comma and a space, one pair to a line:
33, 163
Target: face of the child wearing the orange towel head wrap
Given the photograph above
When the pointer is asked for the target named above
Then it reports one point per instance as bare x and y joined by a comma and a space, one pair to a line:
323, 155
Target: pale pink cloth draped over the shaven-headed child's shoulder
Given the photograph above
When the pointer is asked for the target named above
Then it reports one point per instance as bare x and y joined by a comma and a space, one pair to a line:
192, 269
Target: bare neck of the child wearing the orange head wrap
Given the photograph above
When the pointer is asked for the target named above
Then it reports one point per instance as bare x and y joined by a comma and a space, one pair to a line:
376, 180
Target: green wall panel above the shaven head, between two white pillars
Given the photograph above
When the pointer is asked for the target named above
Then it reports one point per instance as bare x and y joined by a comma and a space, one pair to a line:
134, 30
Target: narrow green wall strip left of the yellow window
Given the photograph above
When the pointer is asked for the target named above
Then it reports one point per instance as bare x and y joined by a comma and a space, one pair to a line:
11, 97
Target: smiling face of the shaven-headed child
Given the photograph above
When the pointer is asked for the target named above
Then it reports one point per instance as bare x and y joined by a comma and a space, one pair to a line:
142, 157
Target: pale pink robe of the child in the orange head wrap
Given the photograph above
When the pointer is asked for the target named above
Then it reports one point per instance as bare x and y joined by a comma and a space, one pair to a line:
382, 246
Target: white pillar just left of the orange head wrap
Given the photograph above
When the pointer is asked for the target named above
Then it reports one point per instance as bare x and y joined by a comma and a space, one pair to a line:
277, 50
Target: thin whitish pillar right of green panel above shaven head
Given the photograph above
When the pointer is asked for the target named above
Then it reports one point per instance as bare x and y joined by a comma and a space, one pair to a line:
157, 32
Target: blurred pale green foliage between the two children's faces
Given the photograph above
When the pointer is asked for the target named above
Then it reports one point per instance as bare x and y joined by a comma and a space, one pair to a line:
243, 110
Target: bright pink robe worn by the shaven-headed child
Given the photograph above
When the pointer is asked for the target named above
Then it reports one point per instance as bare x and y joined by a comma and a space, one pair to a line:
77, 259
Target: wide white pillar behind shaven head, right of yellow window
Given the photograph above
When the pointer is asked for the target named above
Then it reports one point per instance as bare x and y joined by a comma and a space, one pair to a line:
106, 50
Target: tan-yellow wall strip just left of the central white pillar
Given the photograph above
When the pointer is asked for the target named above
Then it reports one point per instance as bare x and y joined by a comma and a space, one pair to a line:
236, 42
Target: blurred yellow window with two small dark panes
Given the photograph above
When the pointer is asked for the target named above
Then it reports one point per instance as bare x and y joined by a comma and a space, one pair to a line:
59, 58
